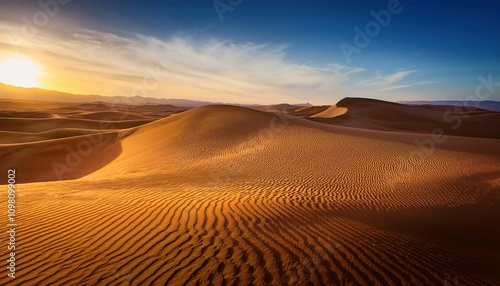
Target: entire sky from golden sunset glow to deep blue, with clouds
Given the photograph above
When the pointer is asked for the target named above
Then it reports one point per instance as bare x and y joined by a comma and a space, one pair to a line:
244, 51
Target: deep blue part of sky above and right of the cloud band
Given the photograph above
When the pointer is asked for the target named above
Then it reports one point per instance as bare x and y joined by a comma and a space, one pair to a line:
431, 49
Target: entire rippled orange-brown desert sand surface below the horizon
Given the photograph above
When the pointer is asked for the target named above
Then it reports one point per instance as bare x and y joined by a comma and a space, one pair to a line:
227, 195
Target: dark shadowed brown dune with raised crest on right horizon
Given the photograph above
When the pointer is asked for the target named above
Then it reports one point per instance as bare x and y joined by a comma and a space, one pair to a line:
388, 116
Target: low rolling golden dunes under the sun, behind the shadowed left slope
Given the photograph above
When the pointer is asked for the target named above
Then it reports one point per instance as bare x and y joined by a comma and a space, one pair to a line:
57, 122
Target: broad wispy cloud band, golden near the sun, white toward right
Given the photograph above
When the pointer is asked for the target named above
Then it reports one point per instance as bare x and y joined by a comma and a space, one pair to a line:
90, 61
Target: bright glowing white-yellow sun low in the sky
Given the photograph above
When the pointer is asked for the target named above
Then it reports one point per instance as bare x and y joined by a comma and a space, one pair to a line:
20, 71
